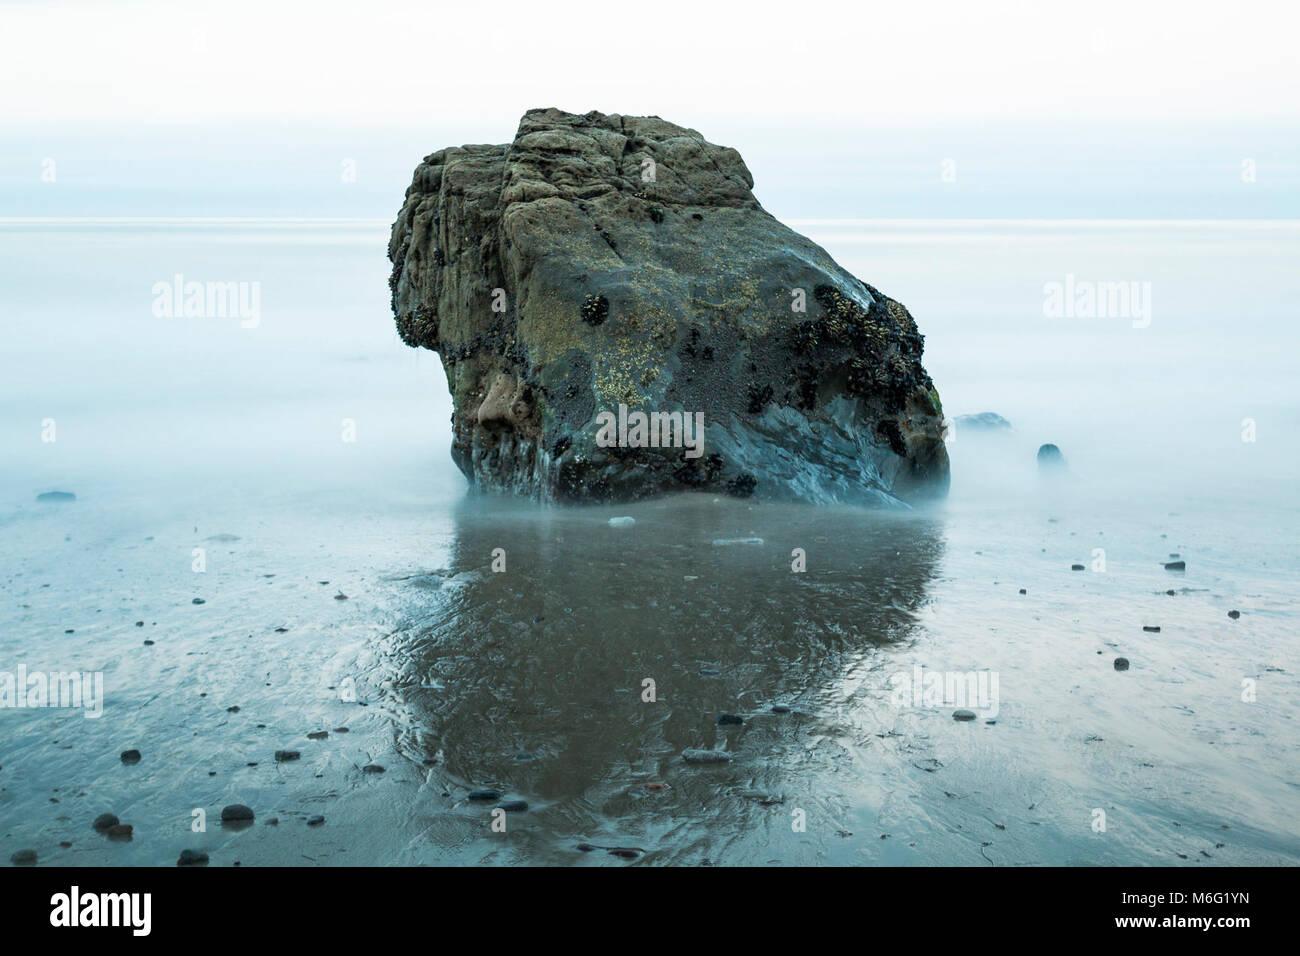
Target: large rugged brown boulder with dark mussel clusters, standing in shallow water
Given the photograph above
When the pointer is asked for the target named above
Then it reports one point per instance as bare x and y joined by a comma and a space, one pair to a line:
612, 261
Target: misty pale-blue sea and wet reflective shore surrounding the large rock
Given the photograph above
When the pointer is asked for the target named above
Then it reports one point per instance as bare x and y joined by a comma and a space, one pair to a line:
301, 458
